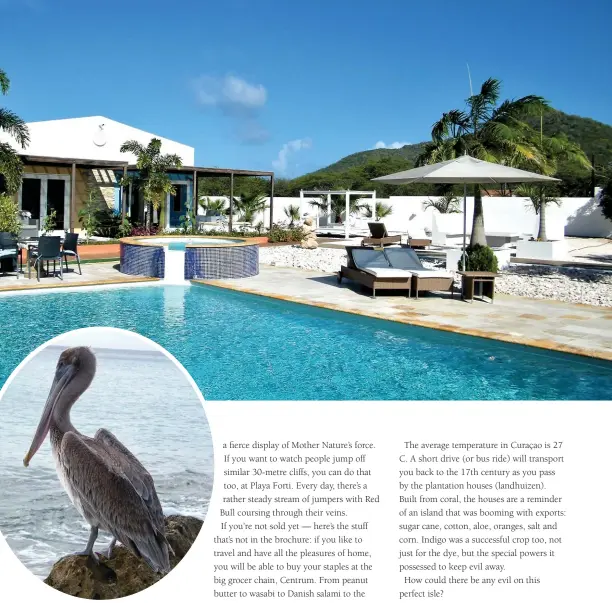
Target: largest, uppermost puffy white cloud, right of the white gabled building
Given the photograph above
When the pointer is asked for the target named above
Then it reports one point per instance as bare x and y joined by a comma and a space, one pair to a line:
230, 93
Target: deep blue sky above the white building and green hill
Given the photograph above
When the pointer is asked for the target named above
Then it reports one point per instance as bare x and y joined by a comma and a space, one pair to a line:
293, 85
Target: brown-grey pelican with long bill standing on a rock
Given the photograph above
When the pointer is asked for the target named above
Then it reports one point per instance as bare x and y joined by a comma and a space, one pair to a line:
104, 480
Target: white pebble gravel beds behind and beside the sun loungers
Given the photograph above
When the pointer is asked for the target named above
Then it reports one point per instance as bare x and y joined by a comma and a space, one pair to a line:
574, 285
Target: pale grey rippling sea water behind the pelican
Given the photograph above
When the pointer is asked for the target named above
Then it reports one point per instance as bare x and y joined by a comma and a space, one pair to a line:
139, 396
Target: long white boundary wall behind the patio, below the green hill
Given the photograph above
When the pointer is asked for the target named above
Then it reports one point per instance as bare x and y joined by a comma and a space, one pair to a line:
577, 217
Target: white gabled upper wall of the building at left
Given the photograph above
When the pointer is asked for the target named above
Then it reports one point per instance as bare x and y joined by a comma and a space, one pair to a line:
83, 138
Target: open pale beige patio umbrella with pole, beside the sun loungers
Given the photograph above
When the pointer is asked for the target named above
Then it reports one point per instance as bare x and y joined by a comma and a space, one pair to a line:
466, 170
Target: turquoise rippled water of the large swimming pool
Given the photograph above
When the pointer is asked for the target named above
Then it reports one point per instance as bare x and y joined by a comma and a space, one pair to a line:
244, 347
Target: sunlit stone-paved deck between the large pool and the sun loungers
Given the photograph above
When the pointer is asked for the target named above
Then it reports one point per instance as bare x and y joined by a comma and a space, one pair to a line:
573, 328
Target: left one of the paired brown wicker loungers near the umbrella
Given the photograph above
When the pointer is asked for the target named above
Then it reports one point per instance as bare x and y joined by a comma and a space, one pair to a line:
370, 267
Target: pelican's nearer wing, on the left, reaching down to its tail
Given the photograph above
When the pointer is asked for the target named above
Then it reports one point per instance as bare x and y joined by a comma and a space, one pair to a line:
112, 499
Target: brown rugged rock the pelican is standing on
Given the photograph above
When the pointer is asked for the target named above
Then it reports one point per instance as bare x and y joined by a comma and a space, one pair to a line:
124, 574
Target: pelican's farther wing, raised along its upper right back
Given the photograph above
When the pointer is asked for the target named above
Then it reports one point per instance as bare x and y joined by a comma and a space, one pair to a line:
125, 463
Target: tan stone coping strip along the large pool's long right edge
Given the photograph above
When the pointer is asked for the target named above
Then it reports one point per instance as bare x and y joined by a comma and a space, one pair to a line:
544, 344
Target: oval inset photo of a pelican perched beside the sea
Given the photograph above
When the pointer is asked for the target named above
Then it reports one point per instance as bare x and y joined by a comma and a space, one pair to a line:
139, 398
